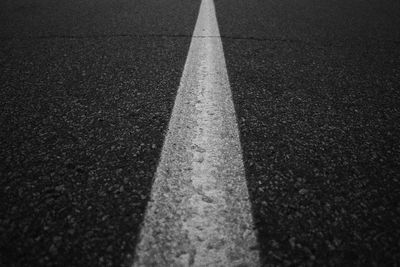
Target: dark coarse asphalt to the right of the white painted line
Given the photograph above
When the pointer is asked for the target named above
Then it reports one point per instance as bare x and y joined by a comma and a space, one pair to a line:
316, 91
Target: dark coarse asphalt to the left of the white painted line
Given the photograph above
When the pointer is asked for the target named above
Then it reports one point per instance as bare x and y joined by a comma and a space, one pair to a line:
87, 88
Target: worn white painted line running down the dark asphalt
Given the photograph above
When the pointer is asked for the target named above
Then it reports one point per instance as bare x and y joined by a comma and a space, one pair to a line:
199, 213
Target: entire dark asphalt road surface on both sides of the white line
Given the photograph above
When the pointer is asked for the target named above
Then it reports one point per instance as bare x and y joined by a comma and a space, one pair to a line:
86, 94
